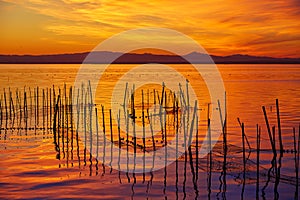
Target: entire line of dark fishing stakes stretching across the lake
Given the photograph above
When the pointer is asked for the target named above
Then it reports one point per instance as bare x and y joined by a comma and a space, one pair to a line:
51, 110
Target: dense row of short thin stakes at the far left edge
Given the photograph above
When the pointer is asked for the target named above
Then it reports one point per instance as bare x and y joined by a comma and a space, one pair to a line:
28, 109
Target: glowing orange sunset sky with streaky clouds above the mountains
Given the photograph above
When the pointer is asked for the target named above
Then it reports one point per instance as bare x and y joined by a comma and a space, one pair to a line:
264, 27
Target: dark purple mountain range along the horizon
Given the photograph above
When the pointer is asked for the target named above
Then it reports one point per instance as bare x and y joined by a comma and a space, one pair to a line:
130, 58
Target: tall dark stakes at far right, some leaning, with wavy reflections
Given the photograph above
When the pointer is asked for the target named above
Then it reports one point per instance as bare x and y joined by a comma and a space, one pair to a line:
275, 163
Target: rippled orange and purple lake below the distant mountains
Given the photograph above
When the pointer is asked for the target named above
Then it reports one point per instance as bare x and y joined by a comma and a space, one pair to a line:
32, 167
